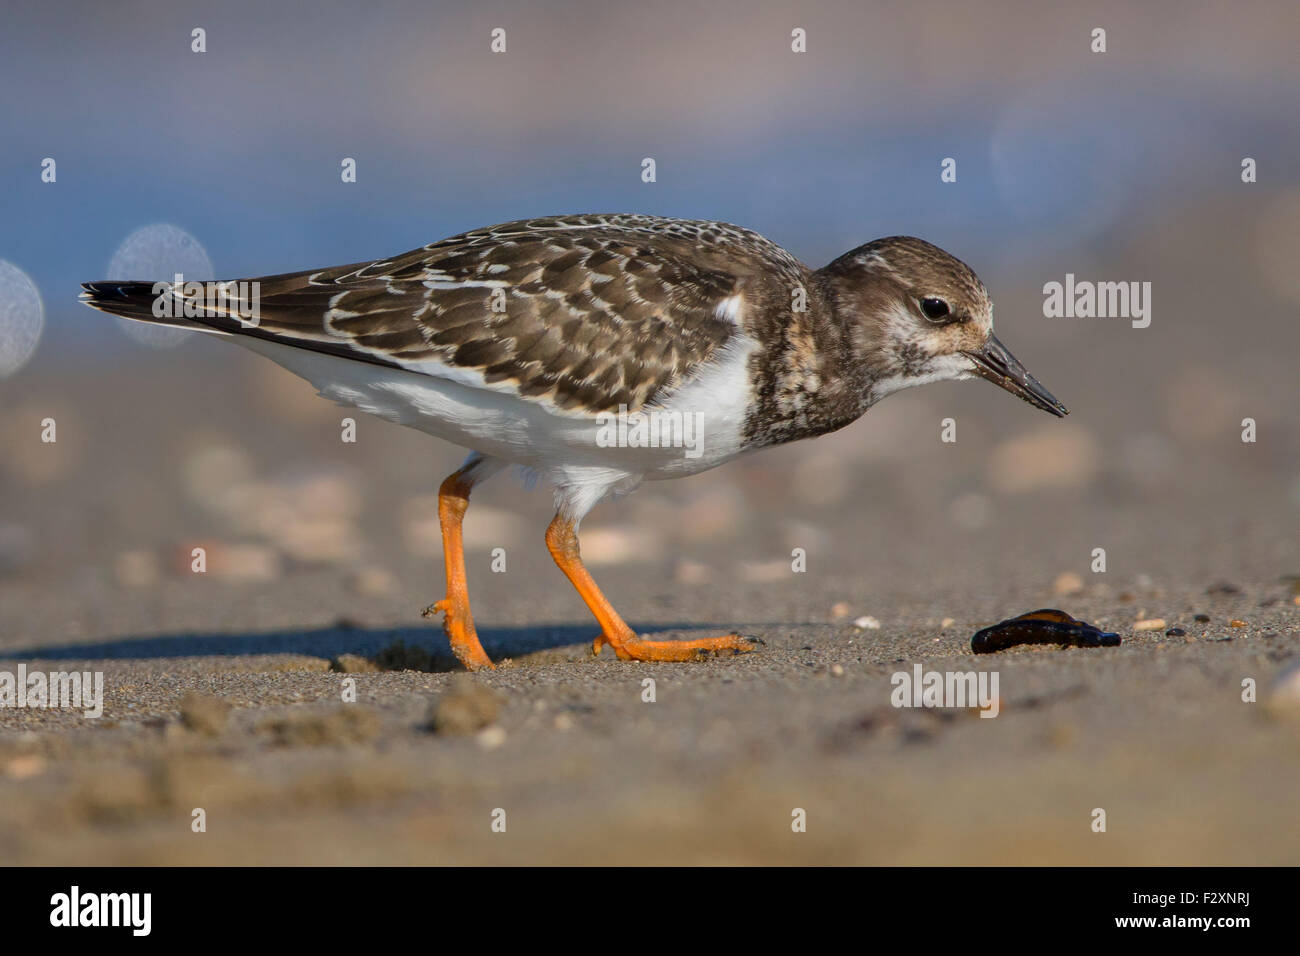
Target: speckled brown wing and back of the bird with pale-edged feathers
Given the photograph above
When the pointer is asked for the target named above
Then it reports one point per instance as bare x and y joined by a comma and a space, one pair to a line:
587, 312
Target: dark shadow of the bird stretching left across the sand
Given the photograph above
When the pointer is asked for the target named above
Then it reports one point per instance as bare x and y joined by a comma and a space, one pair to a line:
392, 648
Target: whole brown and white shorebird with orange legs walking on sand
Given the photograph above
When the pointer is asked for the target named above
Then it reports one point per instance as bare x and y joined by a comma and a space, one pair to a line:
521, 341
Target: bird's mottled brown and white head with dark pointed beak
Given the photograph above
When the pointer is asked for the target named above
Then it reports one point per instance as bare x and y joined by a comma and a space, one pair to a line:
920, 315
